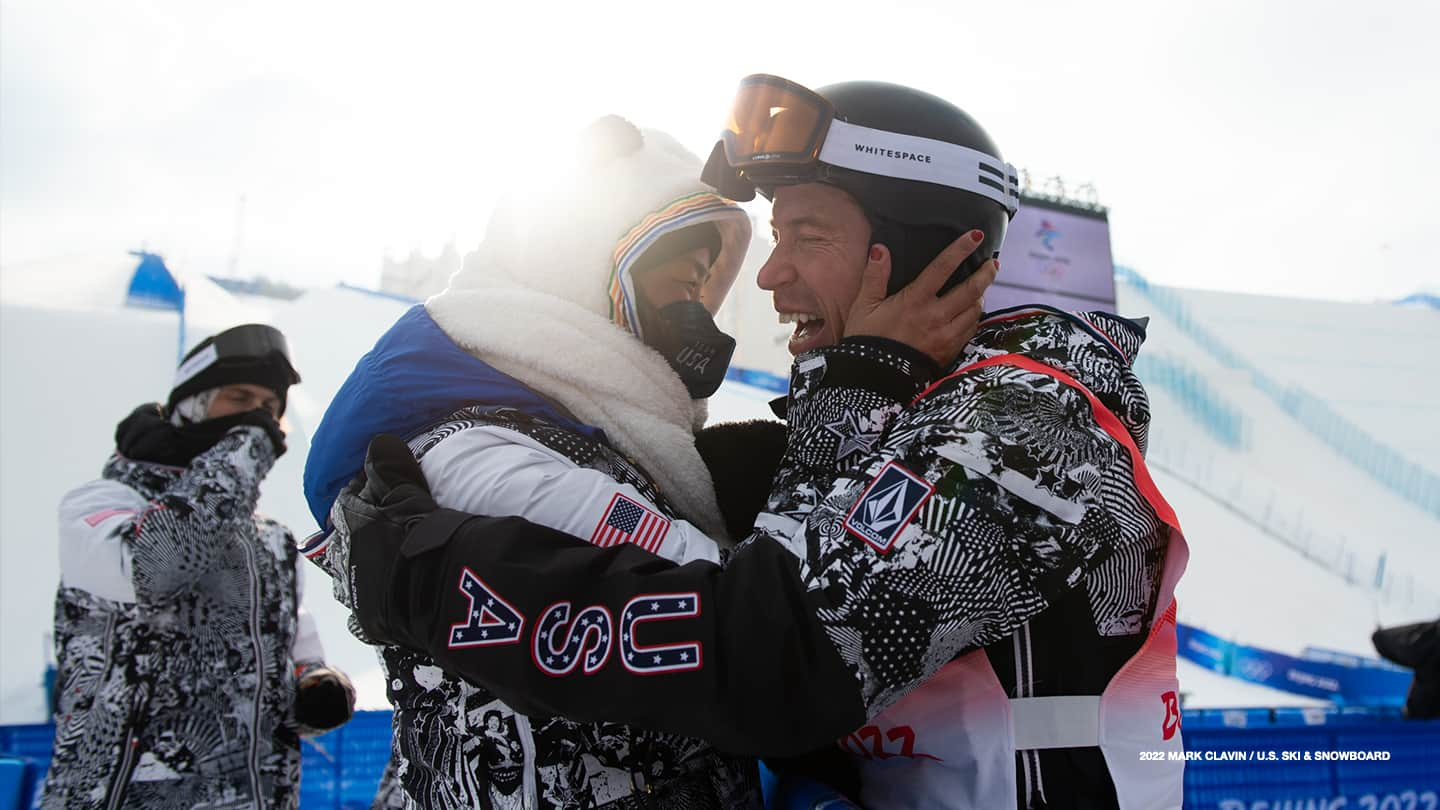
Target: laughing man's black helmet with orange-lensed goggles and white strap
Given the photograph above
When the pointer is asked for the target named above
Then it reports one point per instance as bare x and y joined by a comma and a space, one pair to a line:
921, 168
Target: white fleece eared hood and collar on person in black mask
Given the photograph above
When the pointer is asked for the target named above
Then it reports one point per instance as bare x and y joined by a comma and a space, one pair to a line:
535, 302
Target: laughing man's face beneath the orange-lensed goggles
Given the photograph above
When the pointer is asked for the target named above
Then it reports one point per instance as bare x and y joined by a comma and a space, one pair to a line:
822, 246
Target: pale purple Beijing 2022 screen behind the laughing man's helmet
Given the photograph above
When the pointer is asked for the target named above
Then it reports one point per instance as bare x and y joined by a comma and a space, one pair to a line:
1058, 256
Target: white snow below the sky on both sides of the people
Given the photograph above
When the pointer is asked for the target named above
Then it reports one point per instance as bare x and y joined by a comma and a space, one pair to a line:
74, 361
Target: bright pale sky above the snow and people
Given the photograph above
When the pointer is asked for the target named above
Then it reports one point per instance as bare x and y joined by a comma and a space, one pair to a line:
1287, 149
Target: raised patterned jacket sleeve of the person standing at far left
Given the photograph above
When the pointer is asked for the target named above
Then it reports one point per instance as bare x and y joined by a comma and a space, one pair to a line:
179, 537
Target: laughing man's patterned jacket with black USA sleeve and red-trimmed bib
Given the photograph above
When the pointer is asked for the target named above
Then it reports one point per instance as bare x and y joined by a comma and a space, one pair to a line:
987, 541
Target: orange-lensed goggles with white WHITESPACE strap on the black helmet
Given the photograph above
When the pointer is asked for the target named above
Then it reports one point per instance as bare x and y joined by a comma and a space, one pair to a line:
781, 133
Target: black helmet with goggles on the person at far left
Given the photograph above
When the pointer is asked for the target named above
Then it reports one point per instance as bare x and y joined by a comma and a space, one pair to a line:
251, 354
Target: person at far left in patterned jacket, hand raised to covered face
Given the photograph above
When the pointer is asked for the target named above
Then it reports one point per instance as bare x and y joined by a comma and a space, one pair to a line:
188, 669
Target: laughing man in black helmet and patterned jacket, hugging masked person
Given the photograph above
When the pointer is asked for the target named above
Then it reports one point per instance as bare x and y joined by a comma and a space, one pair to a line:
963, 571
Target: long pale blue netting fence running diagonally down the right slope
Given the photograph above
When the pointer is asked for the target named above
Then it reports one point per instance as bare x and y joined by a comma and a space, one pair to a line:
1353, 443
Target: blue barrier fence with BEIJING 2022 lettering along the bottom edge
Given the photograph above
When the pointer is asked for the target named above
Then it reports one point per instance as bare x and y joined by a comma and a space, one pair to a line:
1337, 759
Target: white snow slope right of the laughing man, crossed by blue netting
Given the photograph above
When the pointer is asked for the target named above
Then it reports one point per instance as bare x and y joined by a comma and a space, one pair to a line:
1287, 491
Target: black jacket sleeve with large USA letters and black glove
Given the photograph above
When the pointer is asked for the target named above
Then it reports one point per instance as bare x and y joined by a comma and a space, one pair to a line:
557, 626
